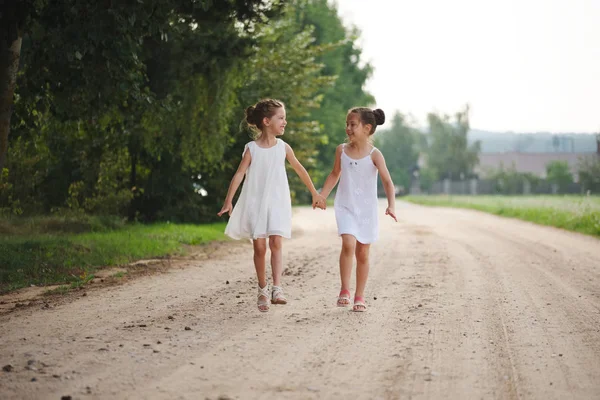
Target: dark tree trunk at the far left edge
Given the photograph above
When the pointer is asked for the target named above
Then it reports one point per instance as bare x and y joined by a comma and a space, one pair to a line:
10, 54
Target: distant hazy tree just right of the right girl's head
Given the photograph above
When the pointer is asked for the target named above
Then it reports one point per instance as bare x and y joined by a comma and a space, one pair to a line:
398, 144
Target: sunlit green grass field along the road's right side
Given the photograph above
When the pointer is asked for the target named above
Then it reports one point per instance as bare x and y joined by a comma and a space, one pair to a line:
574, 213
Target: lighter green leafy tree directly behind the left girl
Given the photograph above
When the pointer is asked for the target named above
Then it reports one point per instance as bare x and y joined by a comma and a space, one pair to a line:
285, 66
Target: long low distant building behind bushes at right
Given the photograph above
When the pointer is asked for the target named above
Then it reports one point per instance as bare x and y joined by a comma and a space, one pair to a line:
534, 163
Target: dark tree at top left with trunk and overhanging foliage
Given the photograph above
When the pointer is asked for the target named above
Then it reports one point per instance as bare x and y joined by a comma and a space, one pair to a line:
88, 55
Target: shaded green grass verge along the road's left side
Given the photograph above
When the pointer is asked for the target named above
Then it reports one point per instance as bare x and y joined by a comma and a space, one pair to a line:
44, 259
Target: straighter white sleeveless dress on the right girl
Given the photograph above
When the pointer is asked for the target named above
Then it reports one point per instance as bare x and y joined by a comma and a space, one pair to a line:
356, 199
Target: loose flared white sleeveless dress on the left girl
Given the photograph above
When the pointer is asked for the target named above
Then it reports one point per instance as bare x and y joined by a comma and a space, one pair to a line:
264, 207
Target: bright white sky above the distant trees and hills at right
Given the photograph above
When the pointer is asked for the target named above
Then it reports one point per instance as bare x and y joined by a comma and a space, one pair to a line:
522, 65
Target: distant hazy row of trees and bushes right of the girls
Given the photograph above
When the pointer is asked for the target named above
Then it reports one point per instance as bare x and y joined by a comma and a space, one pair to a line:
444, 151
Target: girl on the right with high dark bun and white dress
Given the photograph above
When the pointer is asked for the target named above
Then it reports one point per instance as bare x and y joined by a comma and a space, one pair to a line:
357, 164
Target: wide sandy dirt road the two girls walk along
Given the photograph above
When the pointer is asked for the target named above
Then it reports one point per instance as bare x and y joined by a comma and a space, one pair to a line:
462, 305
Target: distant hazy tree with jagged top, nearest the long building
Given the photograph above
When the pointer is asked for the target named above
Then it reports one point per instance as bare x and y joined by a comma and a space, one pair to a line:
449, 152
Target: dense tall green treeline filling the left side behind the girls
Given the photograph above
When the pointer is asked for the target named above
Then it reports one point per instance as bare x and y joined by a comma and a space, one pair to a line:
134, 108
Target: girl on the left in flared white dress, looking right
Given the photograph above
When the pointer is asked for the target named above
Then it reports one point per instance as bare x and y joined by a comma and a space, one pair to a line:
264, 208
